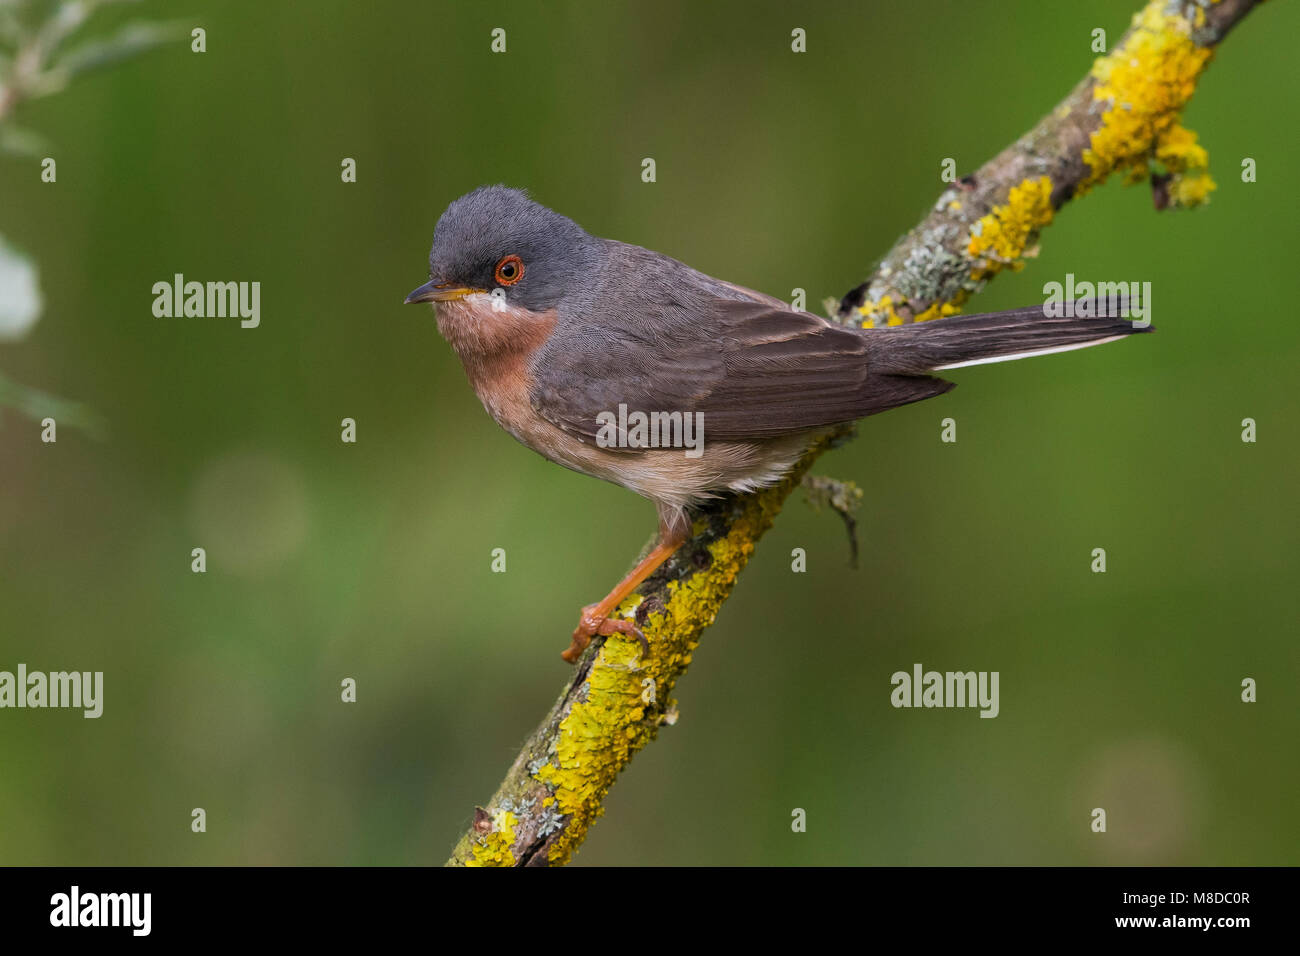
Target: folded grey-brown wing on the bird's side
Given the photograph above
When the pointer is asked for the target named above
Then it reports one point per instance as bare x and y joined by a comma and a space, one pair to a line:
753, 370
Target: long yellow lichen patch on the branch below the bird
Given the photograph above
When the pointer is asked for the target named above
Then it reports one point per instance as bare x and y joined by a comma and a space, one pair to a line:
610, 721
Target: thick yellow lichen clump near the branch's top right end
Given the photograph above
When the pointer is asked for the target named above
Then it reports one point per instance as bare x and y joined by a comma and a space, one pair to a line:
1146, 83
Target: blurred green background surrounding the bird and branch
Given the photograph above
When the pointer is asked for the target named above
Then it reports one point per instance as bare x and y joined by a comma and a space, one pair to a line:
372, 560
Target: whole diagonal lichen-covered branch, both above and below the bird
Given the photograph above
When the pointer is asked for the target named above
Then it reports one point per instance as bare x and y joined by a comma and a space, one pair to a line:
1125, 118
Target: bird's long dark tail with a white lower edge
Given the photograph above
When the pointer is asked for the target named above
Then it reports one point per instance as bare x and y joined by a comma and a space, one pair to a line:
977, 340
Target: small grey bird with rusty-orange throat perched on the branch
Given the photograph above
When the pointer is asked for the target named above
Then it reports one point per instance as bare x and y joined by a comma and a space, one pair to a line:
567, 339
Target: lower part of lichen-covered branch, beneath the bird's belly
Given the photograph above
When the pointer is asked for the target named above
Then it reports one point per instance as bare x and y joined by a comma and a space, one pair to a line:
619, 697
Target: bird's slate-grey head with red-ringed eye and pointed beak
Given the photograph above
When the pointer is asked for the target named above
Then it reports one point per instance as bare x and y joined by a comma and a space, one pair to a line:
499, 239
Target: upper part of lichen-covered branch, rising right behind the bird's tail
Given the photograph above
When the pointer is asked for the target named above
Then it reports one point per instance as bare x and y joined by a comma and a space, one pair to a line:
1124, 118
